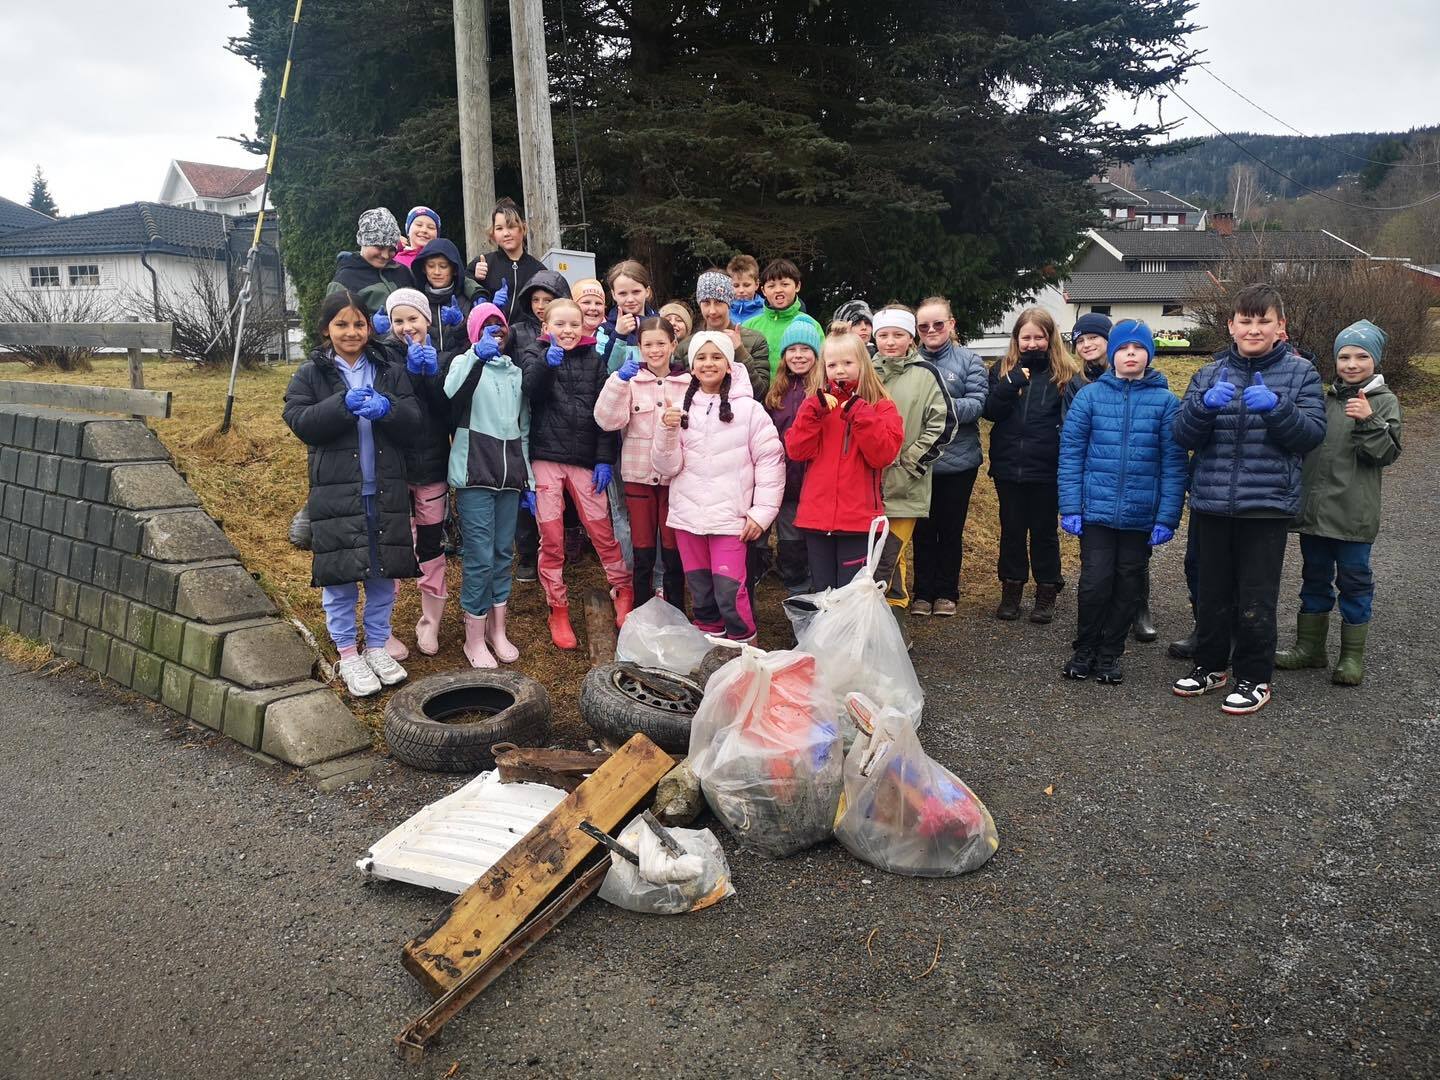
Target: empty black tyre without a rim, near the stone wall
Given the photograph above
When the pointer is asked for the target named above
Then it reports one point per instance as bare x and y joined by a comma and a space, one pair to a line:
451, 724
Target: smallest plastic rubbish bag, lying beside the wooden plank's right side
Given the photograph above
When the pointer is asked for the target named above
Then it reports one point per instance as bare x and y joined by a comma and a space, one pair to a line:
662, 883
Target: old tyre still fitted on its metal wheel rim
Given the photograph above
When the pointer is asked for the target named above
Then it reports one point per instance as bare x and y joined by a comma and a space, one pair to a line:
620, 701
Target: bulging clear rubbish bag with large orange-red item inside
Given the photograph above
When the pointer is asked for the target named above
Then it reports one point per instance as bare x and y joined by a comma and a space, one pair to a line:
767, 750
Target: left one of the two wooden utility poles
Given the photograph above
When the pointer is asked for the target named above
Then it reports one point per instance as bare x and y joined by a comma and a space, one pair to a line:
477, 155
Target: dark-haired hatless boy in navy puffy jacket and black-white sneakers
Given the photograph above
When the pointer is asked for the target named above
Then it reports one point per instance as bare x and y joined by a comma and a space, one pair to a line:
1251, 417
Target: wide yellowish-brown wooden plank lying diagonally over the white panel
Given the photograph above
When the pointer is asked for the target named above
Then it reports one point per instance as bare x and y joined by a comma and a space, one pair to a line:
486, 915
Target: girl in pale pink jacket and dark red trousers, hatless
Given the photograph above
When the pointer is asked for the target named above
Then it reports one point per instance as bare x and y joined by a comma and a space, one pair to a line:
633, 401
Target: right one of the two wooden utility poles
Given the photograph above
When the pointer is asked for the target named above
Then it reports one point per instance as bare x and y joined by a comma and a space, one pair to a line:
534, 116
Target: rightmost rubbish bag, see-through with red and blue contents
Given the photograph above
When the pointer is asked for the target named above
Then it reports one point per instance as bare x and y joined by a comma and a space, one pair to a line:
906, 814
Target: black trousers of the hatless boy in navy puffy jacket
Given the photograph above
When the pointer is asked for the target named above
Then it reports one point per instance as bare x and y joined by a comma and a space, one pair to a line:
1239, 562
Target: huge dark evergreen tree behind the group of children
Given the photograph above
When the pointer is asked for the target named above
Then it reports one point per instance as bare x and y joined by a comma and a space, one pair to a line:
891, 150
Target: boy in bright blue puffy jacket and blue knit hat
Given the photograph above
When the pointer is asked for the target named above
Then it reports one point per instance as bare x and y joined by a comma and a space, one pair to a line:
1122, 487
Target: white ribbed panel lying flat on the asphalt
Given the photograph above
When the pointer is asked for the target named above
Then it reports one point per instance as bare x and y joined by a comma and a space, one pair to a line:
456, 840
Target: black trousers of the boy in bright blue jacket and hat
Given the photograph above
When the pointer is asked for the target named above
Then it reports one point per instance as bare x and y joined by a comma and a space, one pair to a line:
1114, 564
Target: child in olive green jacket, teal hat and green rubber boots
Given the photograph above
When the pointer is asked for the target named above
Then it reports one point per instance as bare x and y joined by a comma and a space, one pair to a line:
1340, 506
